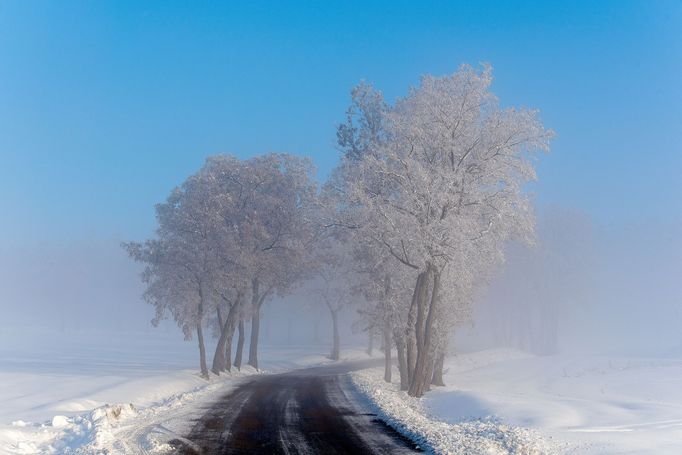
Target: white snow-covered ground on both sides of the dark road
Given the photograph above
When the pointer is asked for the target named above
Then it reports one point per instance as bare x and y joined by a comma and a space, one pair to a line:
87, 393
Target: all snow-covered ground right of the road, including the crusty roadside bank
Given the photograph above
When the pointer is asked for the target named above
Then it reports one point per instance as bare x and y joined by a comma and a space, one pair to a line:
501, 399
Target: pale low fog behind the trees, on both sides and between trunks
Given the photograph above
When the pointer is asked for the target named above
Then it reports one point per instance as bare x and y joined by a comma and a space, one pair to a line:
583, 288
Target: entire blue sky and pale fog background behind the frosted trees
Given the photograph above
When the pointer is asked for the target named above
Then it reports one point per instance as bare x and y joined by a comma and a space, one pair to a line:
97, 125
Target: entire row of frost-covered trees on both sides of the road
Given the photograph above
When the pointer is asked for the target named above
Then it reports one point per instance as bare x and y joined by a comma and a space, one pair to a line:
412, 221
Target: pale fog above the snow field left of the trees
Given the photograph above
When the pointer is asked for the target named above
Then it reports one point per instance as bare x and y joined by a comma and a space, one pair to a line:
72, 287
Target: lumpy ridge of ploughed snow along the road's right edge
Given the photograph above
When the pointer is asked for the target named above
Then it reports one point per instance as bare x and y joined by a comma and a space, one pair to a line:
408, 416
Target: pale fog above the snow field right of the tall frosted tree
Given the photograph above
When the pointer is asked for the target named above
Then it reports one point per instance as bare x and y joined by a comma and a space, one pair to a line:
586, 288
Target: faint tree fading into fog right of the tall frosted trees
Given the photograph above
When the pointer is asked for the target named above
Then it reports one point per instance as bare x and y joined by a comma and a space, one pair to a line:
543, 286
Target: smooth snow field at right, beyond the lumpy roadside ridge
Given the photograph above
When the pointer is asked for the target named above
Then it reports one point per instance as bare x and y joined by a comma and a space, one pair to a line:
594, 405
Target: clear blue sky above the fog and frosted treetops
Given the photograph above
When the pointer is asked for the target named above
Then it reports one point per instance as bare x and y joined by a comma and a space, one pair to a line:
105, 106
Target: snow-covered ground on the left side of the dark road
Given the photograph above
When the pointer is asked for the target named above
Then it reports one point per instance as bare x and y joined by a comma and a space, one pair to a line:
108, 393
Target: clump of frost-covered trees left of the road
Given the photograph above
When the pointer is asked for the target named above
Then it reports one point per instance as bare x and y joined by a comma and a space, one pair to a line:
229, 237
